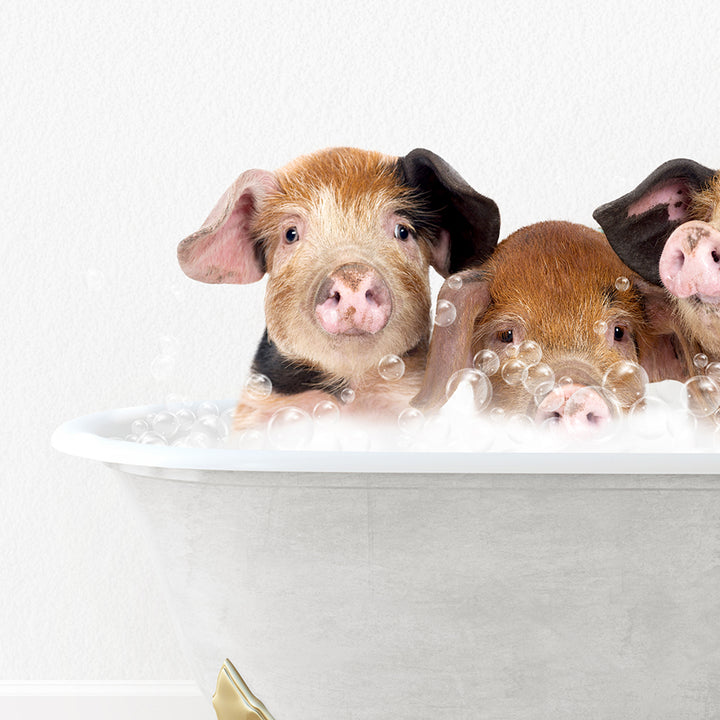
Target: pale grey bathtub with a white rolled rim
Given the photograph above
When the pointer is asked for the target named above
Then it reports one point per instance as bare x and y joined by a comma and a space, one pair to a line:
410, 585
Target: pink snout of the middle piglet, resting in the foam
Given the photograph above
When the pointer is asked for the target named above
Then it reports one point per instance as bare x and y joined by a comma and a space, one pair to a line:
579, 409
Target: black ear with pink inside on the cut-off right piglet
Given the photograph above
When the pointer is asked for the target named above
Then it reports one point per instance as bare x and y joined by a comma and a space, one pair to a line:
638, 224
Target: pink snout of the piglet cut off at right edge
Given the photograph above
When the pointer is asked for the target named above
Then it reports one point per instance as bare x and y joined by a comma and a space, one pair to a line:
690, 262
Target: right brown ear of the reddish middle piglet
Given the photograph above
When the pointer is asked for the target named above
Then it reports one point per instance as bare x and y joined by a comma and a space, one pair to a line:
664, 350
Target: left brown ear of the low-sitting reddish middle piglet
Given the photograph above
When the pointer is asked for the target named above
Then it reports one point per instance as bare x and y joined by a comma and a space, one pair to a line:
451, 345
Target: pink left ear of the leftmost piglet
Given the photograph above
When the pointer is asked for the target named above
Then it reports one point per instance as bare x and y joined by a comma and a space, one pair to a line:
223, 249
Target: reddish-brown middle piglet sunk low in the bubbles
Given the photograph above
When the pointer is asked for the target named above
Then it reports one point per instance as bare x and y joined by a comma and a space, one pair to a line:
561, 313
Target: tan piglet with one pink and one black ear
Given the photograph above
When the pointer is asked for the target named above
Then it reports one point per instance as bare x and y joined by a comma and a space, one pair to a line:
346, 238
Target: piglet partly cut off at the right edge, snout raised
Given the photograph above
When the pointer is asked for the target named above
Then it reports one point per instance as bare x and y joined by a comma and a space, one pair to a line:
668, 230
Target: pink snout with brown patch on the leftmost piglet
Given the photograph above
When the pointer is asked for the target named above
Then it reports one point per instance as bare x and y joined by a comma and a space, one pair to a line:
353, 300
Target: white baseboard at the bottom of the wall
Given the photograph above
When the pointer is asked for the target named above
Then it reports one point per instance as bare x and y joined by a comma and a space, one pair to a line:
109, 702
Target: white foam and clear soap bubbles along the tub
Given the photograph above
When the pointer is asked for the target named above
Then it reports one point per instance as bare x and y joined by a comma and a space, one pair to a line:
467, 420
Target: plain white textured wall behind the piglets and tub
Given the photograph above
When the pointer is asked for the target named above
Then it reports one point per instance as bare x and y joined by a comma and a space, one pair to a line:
120, 126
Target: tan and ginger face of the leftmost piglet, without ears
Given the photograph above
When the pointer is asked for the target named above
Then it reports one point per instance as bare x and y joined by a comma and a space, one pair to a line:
348, 270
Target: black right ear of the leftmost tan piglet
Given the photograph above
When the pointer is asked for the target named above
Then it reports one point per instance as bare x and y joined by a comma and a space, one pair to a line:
470, 221
